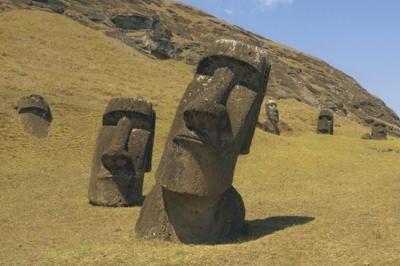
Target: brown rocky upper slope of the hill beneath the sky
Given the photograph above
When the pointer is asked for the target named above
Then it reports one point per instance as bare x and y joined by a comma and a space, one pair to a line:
170, 30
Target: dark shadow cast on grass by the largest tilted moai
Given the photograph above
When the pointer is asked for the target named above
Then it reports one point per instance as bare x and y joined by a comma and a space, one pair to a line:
258, 228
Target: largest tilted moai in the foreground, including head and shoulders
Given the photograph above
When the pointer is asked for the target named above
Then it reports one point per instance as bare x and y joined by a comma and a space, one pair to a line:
193, 200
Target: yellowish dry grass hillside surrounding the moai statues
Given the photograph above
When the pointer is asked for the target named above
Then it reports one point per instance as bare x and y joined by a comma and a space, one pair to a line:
310, 199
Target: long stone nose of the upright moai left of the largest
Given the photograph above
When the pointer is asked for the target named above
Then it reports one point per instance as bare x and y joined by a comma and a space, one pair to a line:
117, 155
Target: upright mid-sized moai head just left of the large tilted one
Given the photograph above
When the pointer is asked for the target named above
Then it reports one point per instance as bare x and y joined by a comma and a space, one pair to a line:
123, 153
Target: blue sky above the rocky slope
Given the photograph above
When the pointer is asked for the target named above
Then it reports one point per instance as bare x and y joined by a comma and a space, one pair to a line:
359, 37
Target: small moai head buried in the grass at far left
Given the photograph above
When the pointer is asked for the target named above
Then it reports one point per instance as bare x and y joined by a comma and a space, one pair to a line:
34, 115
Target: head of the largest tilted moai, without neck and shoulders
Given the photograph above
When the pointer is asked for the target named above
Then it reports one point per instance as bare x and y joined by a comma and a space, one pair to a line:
215, 120
